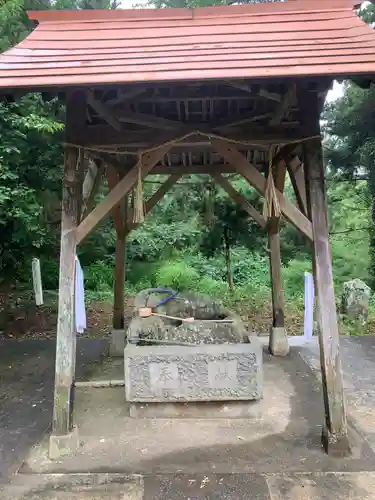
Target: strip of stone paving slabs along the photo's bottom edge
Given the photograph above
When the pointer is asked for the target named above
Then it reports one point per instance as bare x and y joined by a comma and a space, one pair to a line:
325, 486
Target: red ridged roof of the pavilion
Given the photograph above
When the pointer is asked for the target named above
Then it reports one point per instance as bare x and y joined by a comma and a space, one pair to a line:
270, 40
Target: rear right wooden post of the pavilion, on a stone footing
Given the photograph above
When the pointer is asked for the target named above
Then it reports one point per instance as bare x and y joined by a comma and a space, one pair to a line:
278, 341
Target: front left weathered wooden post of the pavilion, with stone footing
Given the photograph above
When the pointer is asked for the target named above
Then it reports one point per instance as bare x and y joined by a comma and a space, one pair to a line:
64, 438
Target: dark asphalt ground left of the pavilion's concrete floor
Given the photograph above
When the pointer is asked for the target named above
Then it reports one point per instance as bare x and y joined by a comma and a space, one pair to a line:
26, 393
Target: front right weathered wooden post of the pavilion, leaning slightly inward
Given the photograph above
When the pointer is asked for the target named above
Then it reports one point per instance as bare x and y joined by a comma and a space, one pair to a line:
334, 437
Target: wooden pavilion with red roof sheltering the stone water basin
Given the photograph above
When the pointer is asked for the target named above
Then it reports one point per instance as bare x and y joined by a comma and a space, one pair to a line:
183, 91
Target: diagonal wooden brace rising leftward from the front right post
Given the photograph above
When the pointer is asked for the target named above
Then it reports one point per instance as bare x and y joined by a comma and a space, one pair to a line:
256, 179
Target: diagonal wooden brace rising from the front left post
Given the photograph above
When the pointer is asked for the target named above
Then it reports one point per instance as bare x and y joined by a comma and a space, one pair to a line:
147, 162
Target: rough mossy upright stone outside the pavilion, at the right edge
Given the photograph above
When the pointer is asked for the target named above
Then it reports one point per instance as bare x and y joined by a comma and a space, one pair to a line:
355, 300
